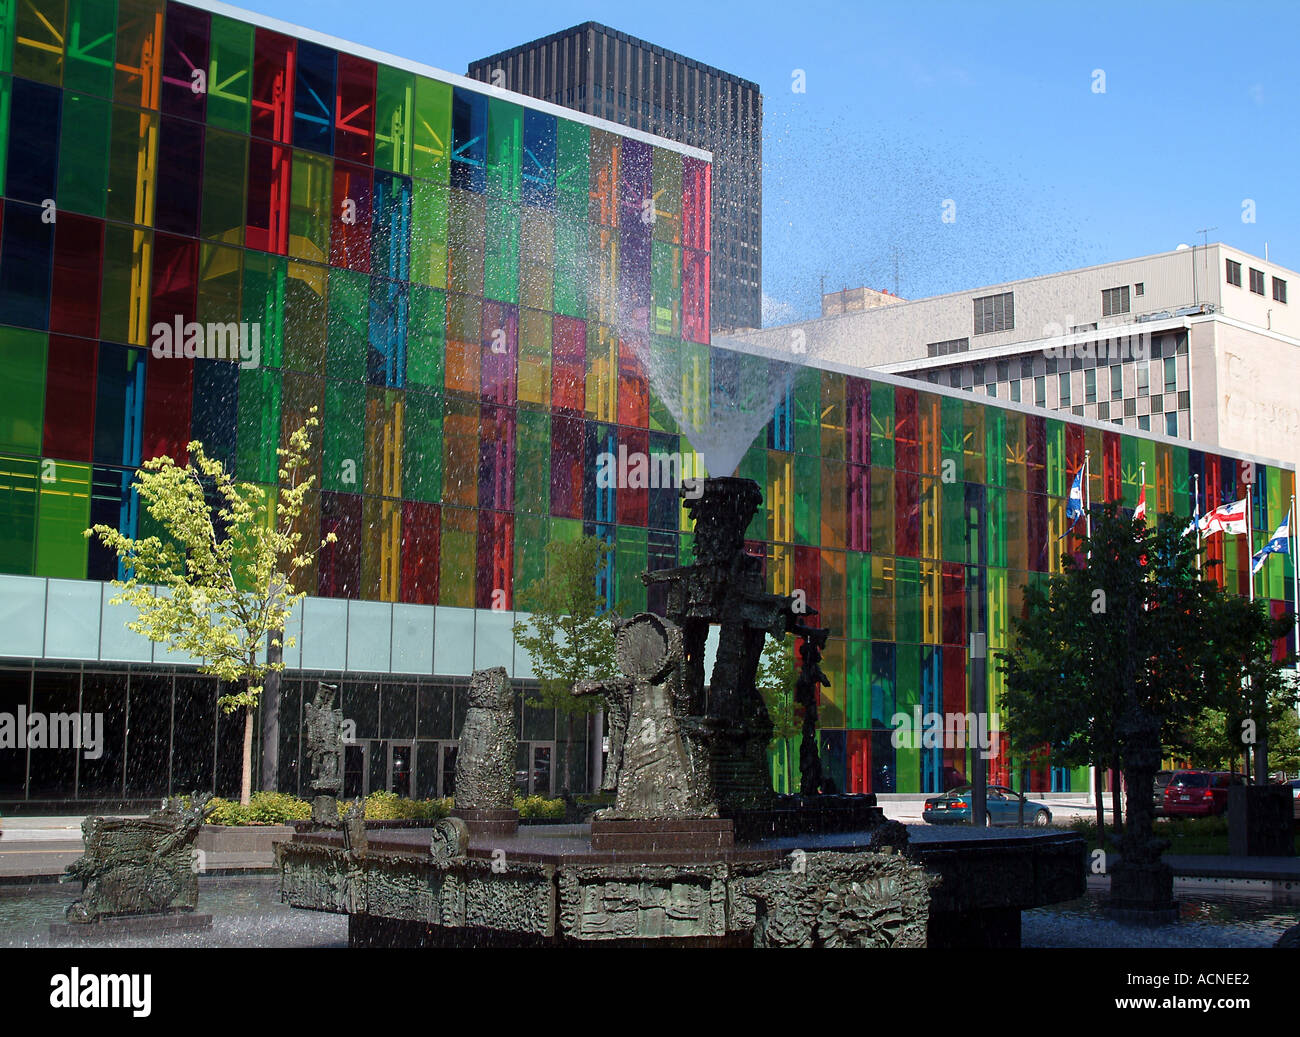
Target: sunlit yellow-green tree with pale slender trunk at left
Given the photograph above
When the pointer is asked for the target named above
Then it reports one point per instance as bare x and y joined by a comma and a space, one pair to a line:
222, 584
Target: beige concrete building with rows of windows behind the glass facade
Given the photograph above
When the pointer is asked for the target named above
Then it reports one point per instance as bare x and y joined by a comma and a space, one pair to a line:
1202, 344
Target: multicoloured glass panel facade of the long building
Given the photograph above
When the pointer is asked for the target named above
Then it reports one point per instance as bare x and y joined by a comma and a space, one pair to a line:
466, 285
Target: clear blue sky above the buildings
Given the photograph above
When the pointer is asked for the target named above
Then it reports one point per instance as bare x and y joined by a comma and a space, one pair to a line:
989, 105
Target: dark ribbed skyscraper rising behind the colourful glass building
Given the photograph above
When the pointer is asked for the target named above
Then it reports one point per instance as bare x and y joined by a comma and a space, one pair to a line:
610, 75
